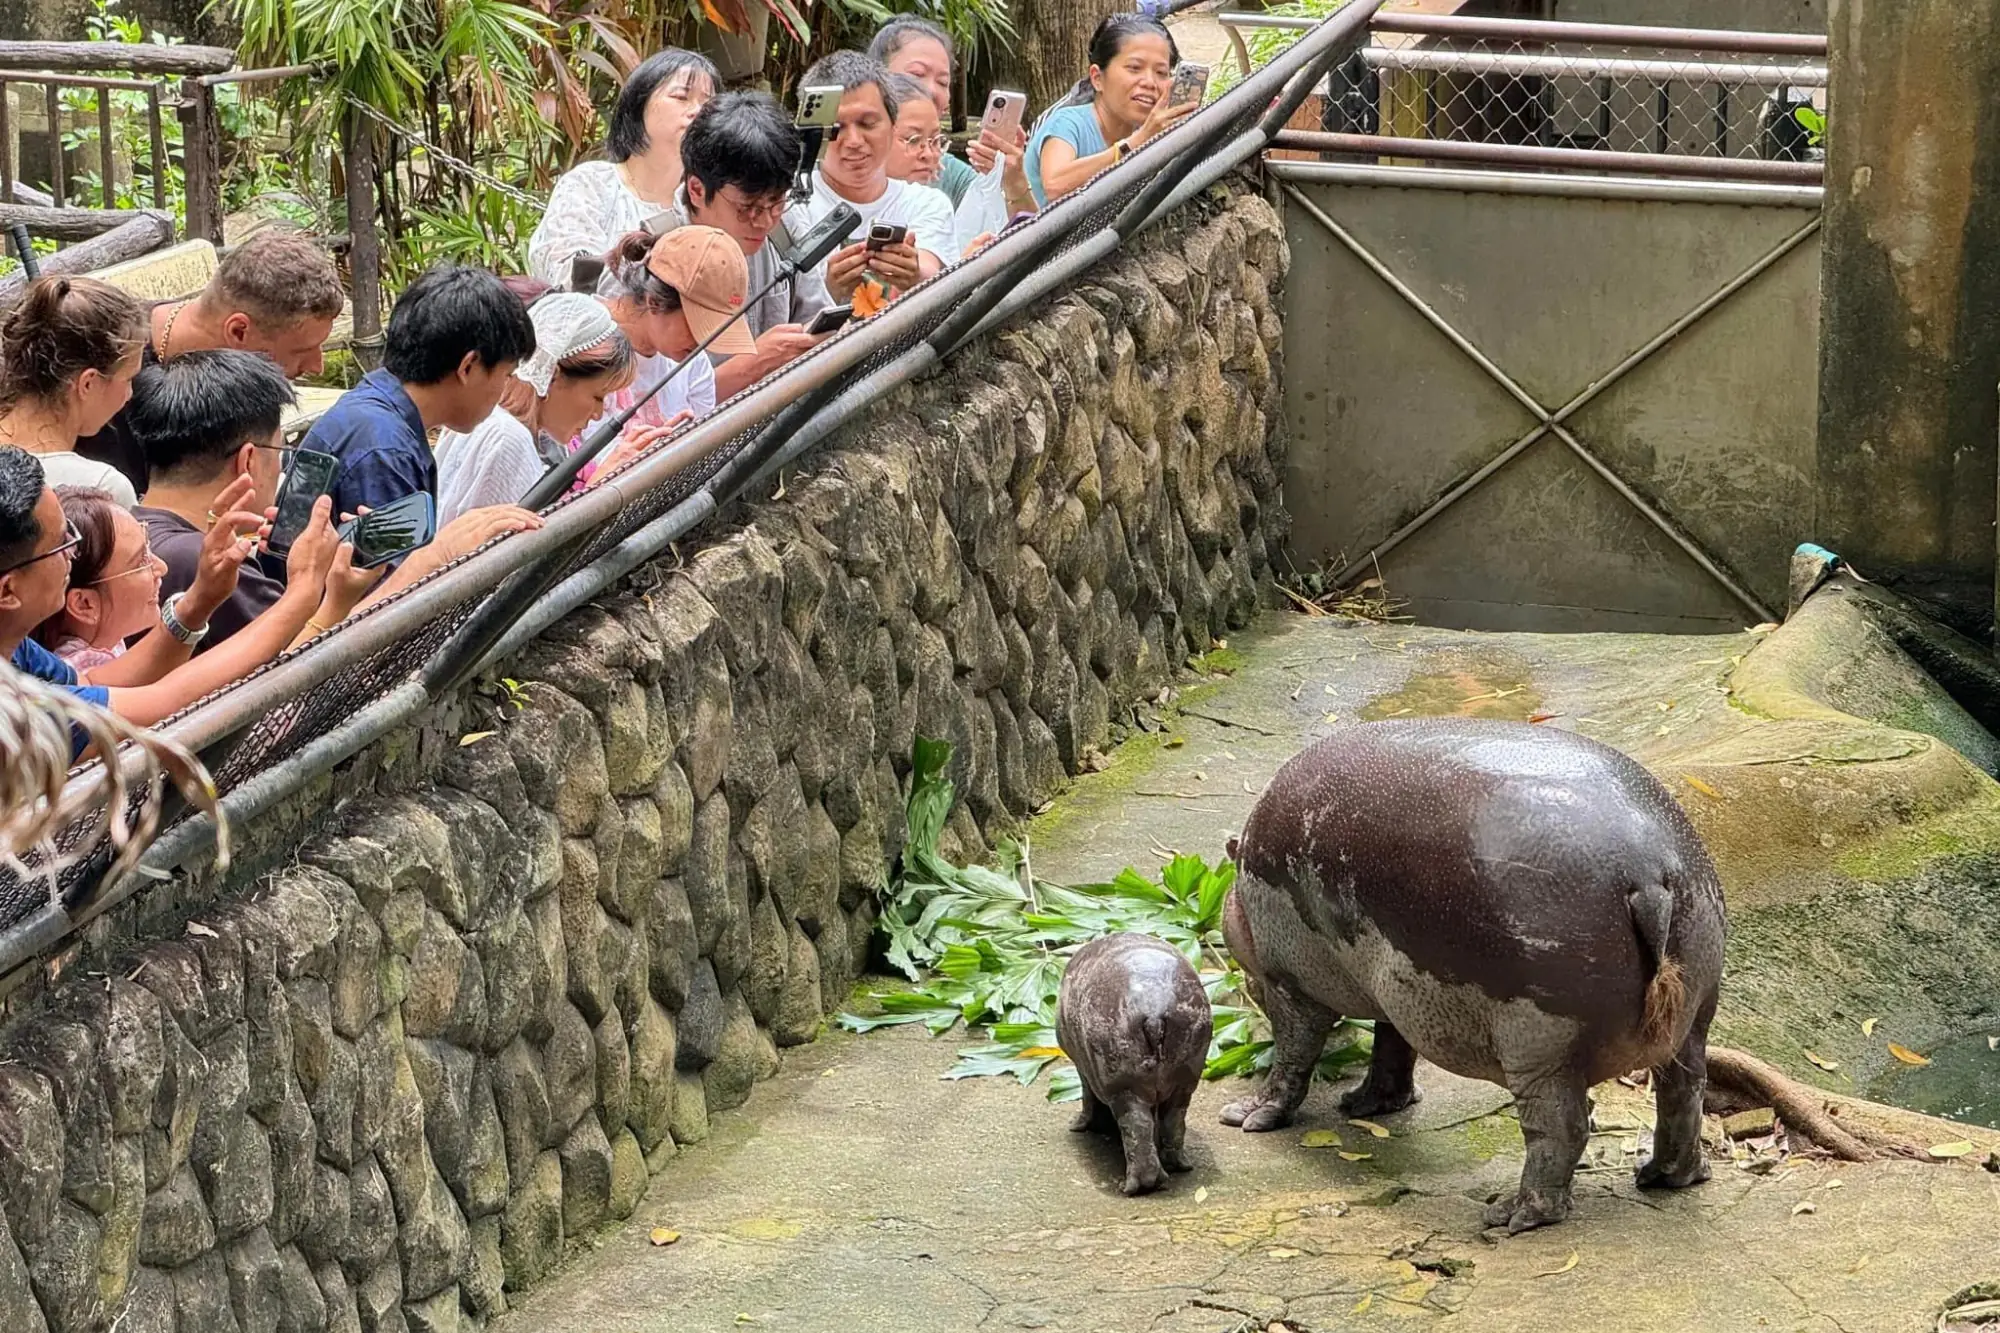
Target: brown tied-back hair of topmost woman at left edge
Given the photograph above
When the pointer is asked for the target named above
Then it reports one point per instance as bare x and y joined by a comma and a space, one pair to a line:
61, 329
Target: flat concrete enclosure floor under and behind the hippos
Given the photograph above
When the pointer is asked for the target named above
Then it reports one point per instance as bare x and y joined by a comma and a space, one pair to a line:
861, 1194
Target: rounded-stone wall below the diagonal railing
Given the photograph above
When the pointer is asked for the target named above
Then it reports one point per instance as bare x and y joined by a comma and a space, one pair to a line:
463, 1028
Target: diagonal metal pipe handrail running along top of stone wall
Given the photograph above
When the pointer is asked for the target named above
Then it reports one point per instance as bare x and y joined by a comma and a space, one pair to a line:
1005, 277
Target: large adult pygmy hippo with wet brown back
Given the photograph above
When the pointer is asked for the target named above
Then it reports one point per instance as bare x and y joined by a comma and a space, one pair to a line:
1511, 902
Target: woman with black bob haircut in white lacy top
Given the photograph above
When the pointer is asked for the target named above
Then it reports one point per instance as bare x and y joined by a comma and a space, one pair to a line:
641, 173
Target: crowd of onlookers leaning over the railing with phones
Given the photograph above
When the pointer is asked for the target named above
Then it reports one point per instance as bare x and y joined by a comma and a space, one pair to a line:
143, 449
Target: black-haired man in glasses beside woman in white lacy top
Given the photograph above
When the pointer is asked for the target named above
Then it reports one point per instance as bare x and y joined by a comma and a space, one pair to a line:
739, 157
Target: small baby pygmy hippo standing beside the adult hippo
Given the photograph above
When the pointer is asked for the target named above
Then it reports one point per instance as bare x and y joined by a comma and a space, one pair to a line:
1135, 1020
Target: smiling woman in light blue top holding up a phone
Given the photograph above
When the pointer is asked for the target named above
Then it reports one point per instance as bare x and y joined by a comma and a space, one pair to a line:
1113, 111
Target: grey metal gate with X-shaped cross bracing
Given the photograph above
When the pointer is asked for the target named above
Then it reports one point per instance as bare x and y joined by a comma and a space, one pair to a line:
1557, 403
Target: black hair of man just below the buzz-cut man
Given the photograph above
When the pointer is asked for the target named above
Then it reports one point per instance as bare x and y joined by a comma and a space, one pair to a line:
191, 413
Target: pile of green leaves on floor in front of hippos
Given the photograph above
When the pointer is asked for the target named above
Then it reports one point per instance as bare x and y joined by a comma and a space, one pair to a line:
987, 948
